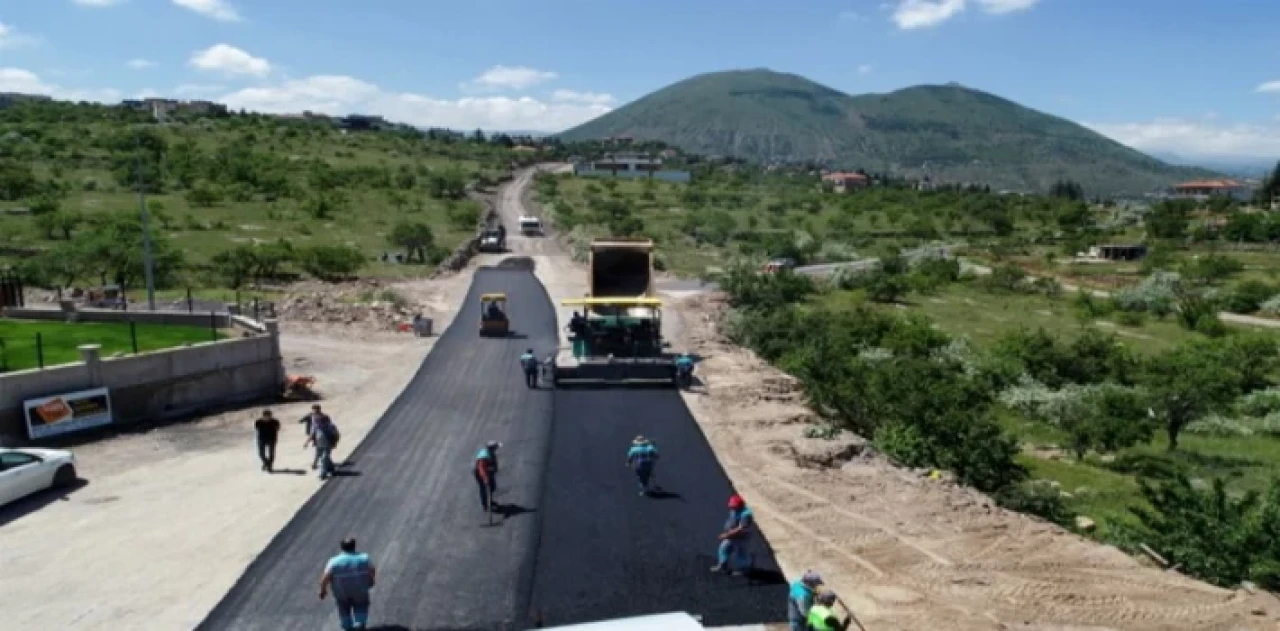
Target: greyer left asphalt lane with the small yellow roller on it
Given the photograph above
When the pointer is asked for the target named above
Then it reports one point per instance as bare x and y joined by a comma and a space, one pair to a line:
409, 497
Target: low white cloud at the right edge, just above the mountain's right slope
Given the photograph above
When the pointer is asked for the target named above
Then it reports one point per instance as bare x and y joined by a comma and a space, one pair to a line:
1196, 139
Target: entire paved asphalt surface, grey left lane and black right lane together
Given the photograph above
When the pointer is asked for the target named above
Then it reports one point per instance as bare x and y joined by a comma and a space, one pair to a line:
579, 543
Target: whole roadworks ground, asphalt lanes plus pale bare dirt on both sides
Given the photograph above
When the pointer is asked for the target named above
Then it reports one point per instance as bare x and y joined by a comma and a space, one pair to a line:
170, 520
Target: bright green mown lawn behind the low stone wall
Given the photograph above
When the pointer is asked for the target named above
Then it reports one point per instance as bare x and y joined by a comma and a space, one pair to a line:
61, 341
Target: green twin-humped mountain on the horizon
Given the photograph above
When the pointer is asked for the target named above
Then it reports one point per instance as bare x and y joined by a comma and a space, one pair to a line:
952, 134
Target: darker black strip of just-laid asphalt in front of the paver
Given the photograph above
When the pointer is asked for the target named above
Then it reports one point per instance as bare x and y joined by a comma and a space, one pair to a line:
606, 552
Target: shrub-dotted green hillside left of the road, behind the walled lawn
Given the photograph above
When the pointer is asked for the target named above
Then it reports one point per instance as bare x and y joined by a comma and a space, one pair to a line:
237, 199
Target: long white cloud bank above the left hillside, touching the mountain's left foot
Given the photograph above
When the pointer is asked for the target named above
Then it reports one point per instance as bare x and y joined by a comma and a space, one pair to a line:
339, 95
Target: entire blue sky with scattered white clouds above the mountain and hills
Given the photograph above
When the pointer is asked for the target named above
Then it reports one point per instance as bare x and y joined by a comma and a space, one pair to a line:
1195, 77
